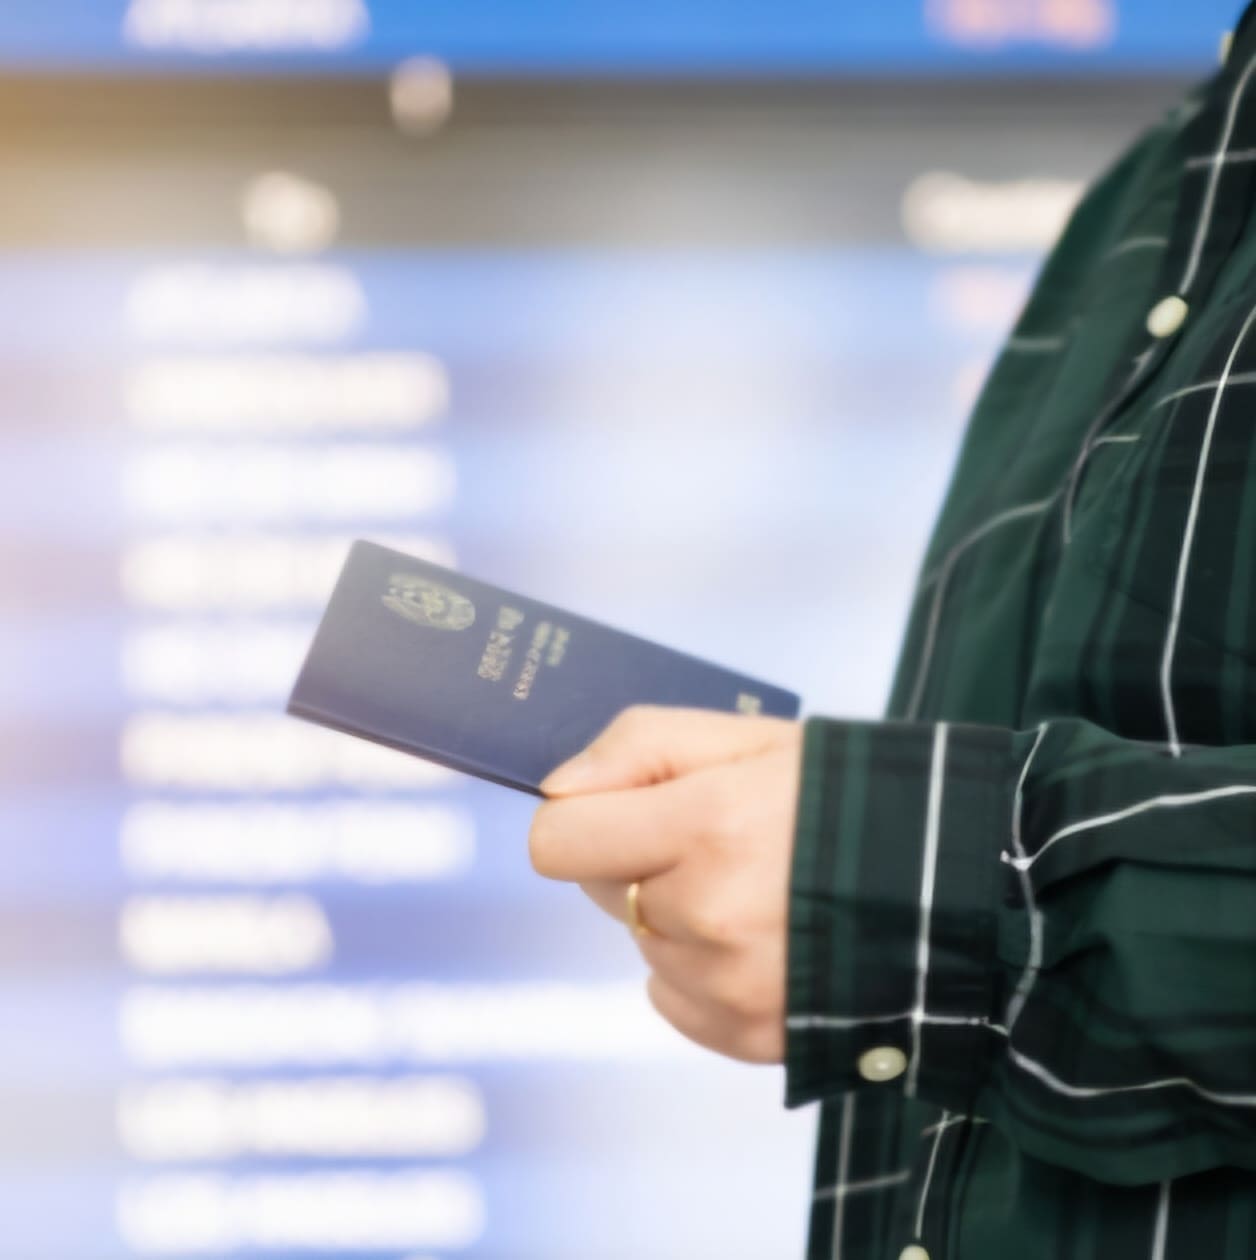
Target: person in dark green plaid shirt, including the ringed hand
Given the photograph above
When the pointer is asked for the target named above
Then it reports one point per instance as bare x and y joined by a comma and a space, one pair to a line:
1007, 937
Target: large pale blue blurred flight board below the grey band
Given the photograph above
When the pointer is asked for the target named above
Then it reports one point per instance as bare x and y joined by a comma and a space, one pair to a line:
269, 991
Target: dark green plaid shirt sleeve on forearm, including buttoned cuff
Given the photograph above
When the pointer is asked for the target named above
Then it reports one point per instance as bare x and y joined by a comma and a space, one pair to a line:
1054, 929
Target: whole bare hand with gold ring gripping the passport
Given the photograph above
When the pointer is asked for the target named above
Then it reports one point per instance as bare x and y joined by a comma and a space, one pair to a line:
700, 807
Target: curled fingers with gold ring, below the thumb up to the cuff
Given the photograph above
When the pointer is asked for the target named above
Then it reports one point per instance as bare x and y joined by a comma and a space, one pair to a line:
712, 851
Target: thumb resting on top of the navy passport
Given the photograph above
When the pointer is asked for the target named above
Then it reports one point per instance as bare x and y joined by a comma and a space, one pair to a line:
649, 744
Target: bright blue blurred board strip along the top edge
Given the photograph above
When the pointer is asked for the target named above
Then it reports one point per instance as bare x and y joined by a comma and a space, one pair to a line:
656, 37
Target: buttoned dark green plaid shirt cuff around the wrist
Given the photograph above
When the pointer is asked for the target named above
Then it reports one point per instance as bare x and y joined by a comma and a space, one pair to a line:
893, 976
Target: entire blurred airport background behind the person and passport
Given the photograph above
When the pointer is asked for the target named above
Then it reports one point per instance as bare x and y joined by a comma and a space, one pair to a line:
668, 312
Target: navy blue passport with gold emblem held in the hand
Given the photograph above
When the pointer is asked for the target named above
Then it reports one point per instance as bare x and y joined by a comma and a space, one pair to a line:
429, 661
